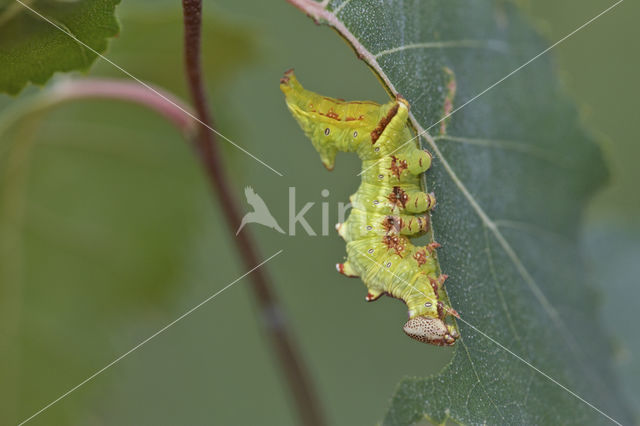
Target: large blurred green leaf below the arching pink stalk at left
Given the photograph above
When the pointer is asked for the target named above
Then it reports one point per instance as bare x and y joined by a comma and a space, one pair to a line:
101, 206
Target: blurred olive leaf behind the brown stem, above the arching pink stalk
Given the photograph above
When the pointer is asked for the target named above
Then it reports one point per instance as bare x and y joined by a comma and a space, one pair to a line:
158, 35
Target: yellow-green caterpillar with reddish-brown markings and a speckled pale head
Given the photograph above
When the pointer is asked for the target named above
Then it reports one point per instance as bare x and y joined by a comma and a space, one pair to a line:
389, 206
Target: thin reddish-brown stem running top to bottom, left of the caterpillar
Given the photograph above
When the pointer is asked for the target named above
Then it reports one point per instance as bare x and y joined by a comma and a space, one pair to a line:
207, 147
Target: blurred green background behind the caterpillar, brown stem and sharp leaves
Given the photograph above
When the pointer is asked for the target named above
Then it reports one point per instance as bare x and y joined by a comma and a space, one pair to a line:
108, 229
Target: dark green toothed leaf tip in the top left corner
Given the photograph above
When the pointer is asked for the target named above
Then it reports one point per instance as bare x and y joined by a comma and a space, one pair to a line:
32, 49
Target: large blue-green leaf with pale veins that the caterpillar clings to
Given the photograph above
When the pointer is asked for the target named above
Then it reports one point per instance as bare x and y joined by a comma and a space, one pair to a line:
512, 173
